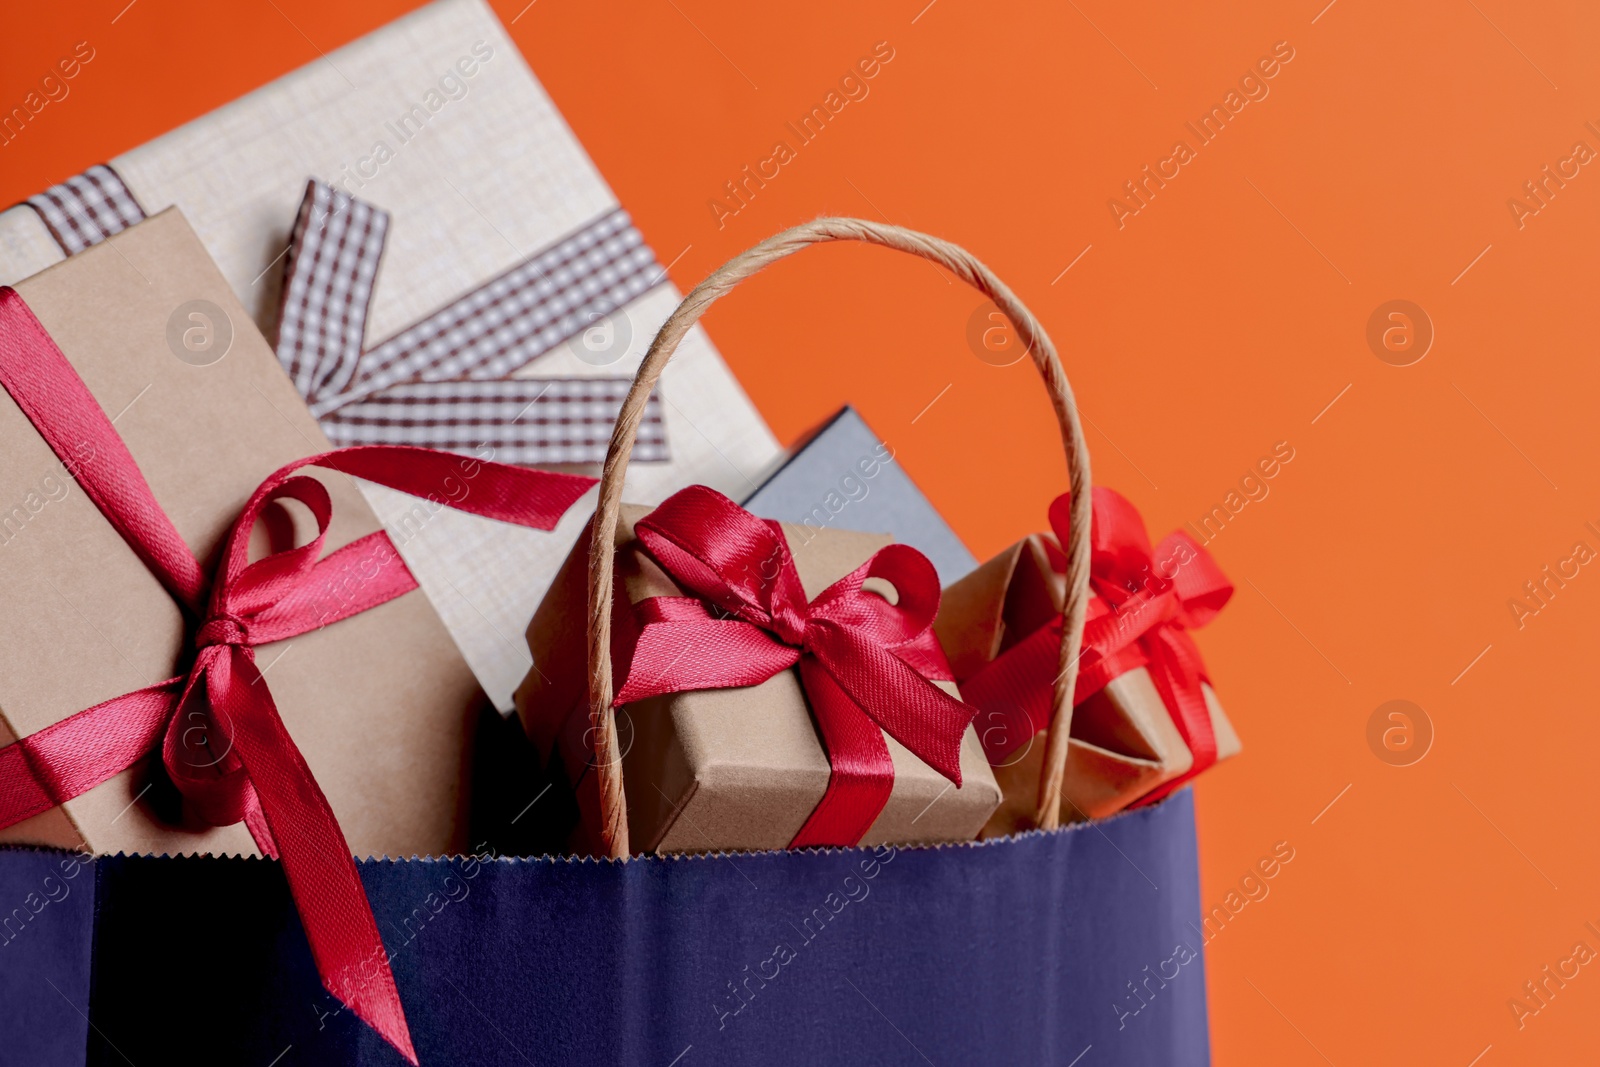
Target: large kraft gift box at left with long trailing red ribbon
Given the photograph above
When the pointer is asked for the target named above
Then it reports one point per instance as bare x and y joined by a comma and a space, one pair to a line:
209, 650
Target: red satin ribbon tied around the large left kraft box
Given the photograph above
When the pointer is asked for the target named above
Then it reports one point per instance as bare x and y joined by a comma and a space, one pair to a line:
217, 727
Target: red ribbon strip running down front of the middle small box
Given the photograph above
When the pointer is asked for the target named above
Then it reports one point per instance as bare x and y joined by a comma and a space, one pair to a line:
863, 773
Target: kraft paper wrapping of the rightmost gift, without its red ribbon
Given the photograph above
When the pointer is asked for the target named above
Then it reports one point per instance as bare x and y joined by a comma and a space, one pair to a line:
1124, 743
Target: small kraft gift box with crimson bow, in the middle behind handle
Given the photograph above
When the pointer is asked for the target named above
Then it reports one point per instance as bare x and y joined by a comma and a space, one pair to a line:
719, 743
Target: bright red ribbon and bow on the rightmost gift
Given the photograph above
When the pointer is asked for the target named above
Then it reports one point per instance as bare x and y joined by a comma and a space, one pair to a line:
1143, 605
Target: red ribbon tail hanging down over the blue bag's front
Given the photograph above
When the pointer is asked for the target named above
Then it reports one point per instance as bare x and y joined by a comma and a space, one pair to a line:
318, 861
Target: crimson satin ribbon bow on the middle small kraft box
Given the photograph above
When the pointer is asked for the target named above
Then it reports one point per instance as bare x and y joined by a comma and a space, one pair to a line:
865, 663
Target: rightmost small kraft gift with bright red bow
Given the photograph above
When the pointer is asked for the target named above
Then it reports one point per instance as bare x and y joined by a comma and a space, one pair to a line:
1146, 719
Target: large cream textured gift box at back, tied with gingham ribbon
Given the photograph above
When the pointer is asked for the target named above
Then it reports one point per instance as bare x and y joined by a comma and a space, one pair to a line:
441, 129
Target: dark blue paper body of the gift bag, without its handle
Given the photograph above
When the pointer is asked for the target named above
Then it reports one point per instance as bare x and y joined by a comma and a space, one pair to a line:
1078, 946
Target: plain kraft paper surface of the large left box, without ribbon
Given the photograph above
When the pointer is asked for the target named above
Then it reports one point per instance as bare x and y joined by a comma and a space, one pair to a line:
380, 705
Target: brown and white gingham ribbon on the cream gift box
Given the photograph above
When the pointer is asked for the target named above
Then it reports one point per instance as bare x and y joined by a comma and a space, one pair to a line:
447, 382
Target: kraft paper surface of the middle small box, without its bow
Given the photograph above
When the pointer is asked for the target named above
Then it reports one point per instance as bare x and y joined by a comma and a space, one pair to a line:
737, 769
